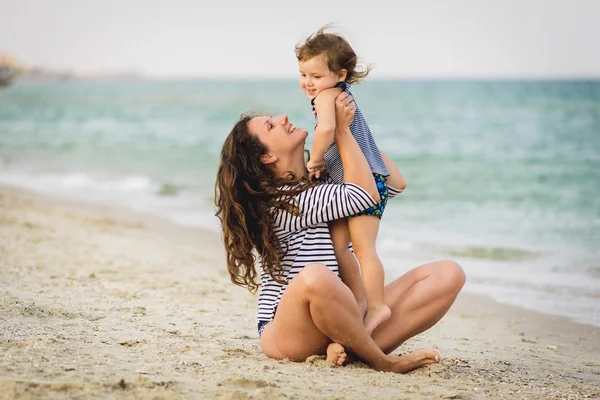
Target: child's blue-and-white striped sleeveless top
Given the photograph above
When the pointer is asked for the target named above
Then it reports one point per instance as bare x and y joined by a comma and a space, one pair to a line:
361, 132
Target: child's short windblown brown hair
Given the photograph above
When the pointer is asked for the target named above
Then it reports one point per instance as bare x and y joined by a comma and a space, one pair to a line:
338, 51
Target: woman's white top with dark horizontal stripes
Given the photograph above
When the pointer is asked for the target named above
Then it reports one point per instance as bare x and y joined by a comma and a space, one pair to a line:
307, 237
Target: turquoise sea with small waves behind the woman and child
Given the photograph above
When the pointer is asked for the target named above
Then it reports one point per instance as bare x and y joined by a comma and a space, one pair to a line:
502, 176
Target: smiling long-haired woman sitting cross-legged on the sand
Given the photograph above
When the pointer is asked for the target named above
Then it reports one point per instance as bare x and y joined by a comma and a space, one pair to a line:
271, 215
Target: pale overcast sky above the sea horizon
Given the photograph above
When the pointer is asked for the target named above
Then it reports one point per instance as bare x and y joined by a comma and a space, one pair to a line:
404, 39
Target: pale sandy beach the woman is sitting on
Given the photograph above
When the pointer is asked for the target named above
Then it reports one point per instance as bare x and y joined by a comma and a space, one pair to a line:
100, 302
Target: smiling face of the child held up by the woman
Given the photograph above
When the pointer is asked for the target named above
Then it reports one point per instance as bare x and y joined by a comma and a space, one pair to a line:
315, 76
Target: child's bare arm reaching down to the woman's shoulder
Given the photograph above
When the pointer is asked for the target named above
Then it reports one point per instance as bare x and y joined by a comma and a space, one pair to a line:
325, 108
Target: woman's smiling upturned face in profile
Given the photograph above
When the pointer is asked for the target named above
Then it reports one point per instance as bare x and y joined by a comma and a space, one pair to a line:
281, 138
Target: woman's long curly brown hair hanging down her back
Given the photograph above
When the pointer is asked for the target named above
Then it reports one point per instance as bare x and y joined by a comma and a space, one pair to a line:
247, 192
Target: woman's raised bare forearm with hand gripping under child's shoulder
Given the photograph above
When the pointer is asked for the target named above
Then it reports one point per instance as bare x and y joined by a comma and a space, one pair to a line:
356, 168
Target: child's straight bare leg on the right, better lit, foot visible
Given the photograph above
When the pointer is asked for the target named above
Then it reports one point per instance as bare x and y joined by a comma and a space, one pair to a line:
363, 231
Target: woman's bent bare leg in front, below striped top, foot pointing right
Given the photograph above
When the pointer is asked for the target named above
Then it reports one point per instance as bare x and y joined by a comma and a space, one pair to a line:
318, 308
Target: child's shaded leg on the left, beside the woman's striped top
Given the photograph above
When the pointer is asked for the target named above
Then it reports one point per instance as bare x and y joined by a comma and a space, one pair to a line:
347, 263
